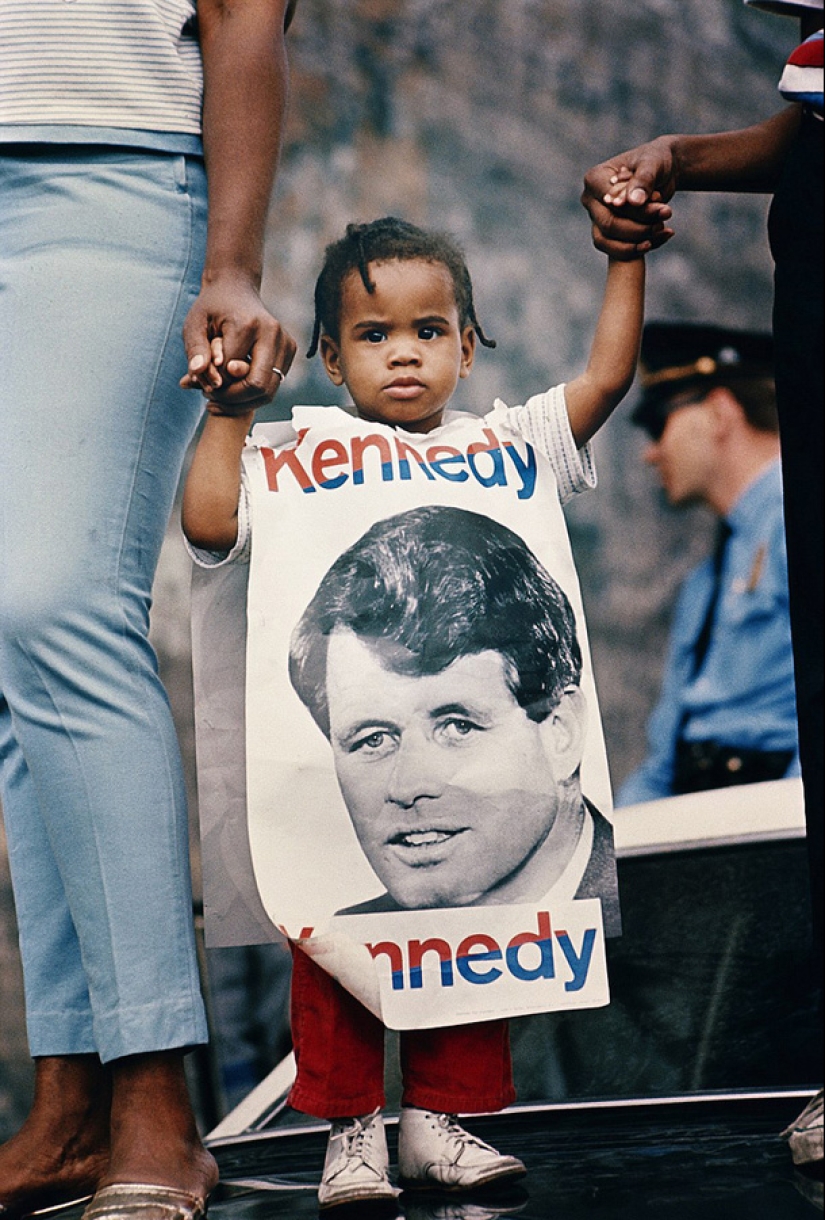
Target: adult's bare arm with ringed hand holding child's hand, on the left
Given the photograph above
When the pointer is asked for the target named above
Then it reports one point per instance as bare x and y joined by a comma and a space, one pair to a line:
246, 81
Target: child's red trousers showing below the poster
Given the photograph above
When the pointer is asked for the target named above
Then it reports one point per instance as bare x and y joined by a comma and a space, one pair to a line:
340, 1049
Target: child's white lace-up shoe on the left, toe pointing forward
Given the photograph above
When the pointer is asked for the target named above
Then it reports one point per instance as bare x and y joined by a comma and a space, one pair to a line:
357, 1168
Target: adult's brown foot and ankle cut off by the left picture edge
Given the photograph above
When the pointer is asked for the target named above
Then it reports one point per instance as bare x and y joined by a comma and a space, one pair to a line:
62, 1152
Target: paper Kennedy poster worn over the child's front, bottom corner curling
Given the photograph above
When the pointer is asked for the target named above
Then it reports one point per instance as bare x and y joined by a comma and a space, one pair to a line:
425, 803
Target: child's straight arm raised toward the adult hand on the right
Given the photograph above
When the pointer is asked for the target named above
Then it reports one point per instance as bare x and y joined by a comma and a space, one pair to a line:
614, 354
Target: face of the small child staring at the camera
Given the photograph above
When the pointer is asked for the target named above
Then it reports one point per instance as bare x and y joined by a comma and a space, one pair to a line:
402, 350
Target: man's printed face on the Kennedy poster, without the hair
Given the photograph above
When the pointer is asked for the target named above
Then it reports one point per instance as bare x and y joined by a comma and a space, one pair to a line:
451, 786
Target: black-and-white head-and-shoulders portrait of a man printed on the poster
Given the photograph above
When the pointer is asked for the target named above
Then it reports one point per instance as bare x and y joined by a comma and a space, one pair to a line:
441, 662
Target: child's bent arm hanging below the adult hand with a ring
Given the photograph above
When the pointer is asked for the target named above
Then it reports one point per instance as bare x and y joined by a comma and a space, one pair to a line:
213, 486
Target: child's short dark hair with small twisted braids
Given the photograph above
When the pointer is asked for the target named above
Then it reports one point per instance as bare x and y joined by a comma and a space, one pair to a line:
387, 241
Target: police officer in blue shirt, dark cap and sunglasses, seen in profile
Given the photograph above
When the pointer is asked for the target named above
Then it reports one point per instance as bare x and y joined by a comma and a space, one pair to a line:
727, 713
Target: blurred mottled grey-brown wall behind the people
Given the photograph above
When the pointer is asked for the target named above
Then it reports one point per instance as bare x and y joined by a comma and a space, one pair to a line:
481, 118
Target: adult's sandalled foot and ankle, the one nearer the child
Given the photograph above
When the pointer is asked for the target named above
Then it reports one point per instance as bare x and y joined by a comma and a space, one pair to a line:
154, 1138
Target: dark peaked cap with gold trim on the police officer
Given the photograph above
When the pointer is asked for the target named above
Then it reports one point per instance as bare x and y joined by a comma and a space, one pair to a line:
679, 357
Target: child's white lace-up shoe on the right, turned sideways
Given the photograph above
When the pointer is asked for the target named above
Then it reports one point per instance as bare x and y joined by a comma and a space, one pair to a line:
436, 1154
